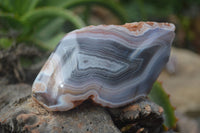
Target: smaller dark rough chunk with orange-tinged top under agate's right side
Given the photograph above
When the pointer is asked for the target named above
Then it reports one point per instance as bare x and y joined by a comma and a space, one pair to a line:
143, 115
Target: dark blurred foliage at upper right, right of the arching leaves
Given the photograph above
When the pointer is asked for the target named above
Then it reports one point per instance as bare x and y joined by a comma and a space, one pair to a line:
185, 14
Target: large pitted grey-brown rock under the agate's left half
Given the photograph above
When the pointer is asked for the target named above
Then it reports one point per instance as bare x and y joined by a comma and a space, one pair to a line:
24, 115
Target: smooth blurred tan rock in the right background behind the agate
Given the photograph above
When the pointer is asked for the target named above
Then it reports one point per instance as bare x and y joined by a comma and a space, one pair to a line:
184, 85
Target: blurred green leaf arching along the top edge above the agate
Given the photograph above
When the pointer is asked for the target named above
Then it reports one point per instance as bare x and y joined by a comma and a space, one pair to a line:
111, 5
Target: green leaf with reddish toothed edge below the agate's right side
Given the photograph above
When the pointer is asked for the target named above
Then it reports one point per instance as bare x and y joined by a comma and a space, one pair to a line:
159, 96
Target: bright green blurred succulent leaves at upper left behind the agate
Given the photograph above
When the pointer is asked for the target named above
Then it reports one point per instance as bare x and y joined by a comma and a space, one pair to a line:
44, 22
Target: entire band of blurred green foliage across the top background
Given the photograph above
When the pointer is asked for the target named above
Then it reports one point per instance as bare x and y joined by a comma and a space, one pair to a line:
44, 22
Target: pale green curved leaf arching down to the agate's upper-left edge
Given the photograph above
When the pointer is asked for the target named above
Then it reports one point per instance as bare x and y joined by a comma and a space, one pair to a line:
36, 15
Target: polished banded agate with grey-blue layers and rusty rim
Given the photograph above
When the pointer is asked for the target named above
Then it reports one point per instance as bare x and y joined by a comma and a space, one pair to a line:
111, 64
